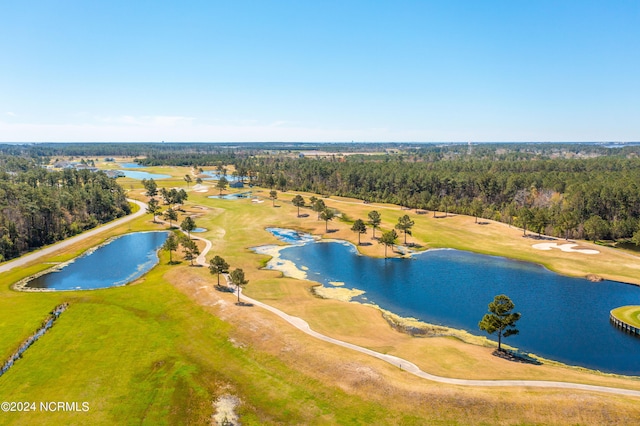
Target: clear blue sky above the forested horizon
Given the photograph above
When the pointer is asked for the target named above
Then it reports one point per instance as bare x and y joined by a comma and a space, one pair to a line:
319, 70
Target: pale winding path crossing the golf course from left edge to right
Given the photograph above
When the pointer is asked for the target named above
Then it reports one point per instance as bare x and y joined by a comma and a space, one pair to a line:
302, 325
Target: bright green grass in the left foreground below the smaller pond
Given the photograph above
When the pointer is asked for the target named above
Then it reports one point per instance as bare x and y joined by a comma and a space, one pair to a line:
147, 354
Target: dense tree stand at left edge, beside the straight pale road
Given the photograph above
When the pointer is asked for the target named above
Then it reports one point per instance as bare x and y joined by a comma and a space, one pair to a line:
40, 206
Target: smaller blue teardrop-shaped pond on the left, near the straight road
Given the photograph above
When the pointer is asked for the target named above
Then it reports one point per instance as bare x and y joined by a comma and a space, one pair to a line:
115, 263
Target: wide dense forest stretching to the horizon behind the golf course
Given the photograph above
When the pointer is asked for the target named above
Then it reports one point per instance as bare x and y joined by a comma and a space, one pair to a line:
566, 190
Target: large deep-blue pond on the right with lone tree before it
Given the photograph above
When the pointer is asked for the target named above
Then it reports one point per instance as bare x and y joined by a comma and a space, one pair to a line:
564, 319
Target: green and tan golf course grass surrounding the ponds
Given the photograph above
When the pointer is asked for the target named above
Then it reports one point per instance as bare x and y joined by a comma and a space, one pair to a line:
163, 350
